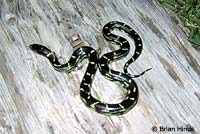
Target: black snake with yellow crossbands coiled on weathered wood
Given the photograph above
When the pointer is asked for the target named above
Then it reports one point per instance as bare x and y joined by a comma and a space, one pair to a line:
124, 79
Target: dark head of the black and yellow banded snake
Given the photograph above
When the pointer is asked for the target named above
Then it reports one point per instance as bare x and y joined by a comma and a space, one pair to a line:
39, 49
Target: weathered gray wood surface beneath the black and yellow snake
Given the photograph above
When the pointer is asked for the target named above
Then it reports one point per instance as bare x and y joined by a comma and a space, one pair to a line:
35, 99
